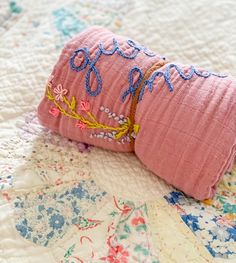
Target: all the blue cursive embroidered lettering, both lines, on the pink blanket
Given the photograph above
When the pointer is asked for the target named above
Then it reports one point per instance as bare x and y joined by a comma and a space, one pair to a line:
132, 86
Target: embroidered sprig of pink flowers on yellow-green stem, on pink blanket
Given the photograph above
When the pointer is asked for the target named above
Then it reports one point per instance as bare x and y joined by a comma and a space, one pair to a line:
84, 106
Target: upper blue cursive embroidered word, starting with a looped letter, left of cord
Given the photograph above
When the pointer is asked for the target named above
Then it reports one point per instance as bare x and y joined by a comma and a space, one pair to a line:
101, 50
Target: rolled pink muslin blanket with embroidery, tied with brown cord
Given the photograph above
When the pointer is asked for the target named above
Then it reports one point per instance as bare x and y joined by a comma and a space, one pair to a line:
112, 92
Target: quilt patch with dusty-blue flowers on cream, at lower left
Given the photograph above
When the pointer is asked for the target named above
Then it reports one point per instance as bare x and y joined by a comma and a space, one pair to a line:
45, 216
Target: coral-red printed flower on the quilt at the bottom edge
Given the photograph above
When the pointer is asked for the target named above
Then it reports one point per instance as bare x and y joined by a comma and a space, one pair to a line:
117, 255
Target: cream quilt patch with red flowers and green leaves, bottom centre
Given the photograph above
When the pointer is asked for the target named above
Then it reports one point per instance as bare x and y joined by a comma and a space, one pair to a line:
131, 241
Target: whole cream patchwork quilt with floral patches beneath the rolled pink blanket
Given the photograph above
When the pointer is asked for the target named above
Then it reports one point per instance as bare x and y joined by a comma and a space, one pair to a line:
65, 202
